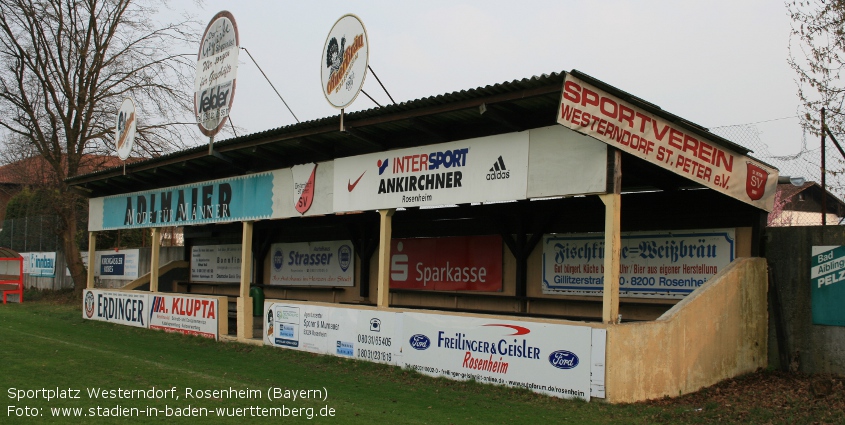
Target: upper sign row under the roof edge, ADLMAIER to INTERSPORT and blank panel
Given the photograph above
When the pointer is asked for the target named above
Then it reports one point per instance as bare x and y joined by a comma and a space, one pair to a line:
493, 168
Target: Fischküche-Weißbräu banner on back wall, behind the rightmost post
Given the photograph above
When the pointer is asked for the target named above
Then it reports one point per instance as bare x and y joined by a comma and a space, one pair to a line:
653, 264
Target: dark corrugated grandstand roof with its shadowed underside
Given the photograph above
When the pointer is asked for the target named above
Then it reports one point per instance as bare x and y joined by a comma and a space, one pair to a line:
494, 109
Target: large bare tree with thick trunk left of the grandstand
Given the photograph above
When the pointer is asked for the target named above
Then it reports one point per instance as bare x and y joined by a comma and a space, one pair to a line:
66, 66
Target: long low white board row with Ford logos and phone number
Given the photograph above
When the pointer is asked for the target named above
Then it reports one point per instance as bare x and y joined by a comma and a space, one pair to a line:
554, 359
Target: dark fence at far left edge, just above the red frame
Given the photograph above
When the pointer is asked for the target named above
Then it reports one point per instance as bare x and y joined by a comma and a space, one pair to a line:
31, 234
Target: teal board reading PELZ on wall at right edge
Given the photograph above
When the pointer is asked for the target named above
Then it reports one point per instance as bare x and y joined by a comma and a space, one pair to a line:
827, 285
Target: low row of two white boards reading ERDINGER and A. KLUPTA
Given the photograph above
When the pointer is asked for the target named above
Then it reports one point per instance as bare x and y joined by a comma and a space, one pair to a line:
192, 315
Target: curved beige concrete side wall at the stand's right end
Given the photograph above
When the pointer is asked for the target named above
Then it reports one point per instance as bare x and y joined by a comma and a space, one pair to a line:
717, 332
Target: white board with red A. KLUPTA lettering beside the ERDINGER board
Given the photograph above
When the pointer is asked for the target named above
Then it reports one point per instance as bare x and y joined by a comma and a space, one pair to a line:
190, 315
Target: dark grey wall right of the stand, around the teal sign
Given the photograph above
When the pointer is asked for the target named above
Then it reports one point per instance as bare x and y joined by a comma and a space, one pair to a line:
808, 348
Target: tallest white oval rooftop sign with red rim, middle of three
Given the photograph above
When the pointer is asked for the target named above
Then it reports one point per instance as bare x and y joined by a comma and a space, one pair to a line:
217, 67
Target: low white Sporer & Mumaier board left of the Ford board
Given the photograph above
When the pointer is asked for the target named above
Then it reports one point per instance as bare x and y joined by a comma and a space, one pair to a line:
355, 333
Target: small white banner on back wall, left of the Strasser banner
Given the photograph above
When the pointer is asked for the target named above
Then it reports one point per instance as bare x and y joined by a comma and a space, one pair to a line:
216, 263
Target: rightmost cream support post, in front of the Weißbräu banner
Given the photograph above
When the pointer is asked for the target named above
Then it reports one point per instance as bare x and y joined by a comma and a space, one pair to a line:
612, 256
